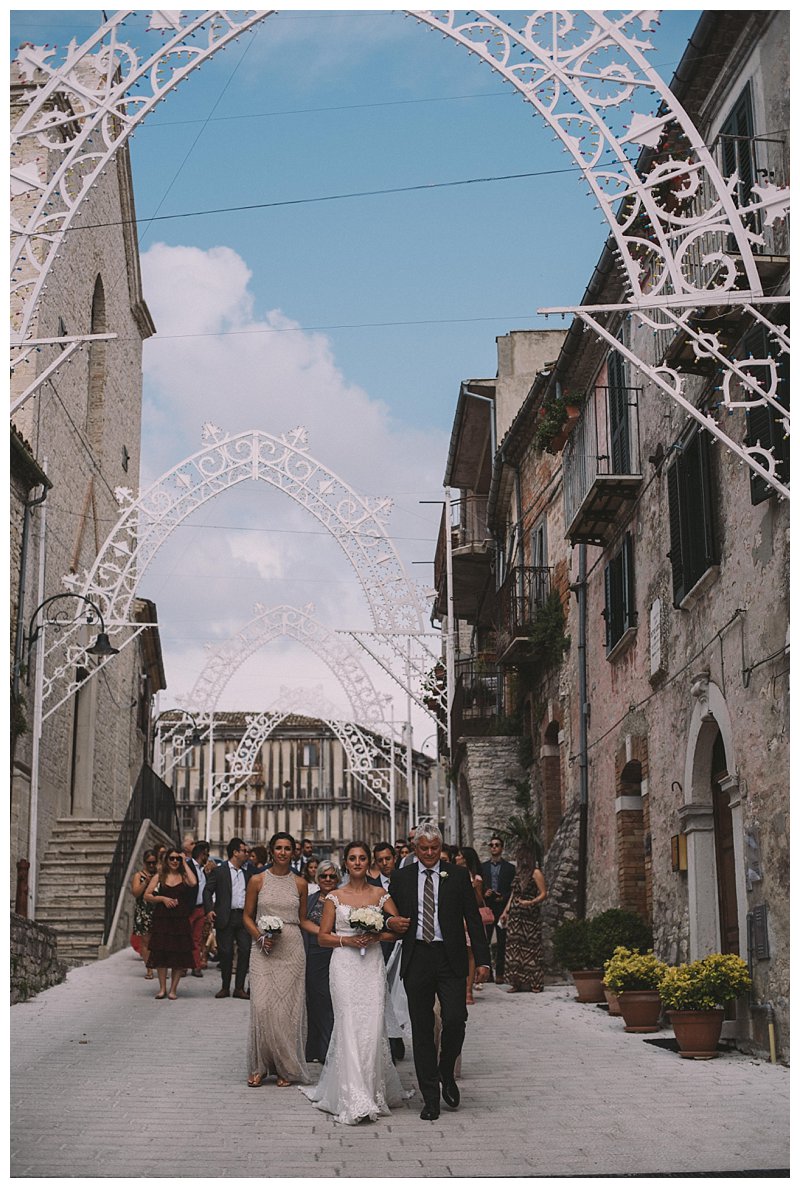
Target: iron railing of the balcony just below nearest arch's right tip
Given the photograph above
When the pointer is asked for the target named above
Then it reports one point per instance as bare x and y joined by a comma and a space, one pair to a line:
604, 441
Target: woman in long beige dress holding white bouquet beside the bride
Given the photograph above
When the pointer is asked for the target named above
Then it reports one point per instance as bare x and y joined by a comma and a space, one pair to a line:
278, 971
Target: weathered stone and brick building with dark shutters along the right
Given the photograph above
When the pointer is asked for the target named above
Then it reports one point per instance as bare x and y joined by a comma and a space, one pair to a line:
640, 617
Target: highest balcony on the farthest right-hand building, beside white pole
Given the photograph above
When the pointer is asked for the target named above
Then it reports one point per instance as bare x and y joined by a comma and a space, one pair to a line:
473, 554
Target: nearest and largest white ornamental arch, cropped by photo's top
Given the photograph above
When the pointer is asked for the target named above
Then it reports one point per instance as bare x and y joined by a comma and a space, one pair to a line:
585, 73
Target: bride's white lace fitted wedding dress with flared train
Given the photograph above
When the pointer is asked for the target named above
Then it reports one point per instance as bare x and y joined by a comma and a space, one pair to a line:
358, 1079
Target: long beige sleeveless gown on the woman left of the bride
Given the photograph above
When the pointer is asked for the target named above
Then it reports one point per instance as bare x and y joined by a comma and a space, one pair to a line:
278, 988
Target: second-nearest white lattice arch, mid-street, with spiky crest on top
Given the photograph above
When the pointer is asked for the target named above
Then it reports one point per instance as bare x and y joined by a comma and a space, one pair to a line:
357, 523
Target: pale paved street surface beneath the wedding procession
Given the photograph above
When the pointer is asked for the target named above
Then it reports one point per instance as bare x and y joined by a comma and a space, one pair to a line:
109, 1083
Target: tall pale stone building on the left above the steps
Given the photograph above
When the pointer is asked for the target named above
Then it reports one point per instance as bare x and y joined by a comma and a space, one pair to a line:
83, 428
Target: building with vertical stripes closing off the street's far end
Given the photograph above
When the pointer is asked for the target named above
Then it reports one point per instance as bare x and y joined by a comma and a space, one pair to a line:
303, 783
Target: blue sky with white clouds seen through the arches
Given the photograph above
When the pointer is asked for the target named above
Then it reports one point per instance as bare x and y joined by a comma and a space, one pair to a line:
360, 315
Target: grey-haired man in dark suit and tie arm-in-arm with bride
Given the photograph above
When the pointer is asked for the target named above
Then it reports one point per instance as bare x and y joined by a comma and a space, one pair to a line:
434, 900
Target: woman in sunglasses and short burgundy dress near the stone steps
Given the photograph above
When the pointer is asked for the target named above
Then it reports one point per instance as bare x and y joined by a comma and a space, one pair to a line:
173, 893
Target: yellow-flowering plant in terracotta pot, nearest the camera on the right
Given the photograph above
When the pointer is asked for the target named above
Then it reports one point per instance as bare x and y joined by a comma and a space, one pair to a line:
695, 996
